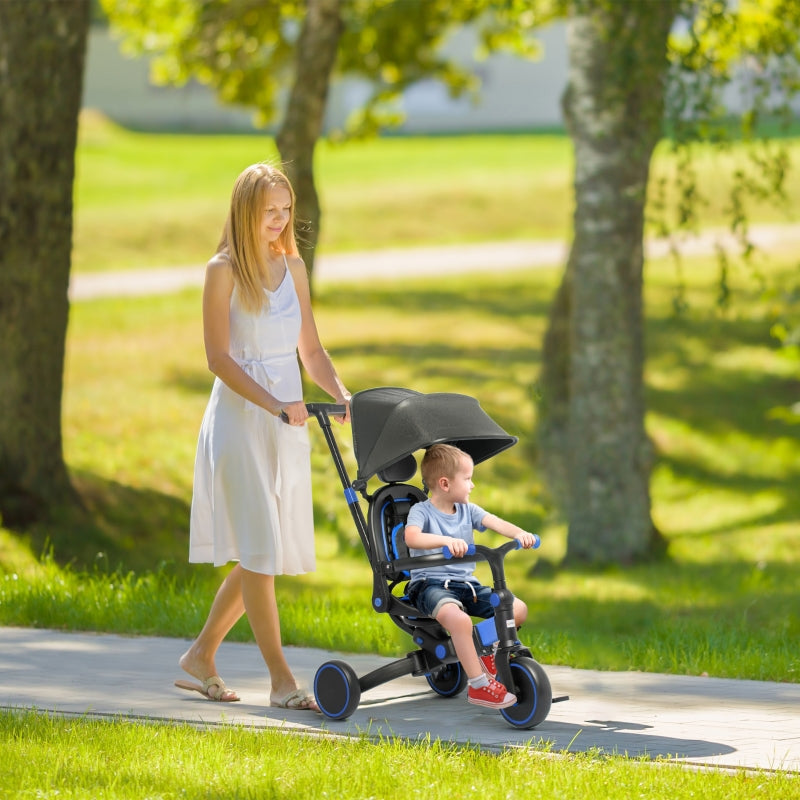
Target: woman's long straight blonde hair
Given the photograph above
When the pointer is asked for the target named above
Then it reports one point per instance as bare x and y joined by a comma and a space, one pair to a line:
241, 236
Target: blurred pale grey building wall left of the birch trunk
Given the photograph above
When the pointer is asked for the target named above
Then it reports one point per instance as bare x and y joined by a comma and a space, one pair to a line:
516, 94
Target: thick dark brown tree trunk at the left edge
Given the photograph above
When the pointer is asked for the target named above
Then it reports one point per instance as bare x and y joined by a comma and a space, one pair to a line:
42, 50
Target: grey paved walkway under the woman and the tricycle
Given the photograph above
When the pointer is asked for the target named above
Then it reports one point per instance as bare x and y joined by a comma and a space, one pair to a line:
697, 721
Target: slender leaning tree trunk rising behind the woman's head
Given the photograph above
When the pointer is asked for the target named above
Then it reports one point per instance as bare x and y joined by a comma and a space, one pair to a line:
317, 47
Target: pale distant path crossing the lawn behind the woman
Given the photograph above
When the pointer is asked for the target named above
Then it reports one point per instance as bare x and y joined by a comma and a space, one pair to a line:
391, 264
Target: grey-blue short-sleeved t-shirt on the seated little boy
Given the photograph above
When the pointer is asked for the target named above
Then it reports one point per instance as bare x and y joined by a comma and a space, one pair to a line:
467, 518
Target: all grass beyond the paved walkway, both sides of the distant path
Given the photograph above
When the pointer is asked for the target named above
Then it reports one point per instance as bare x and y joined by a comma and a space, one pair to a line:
722, 602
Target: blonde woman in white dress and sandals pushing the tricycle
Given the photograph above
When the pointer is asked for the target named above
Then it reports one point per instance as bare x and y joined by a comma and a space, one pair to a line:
252, 483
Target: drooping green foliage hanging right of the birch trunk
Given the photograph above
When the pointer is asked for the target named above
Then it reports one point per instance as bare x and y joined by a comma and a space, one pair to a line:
734, 72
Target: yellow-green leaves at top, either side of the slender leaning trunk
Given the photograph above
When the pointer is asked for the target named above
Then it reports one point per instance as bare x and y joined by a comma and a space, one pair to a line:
245, 49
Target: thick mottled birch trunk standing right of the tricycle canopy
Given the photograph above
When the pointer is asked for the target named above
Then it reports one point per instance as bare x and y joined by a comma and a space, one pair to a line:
593, 443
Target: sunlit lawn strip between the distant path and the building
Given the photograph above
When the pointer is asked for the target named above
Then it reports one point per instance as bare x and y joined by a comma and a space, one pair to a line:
154, 200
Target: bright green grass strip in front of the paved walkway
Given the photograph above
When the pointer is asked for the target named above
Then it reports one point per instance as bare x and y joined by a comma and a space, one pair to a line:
49, 757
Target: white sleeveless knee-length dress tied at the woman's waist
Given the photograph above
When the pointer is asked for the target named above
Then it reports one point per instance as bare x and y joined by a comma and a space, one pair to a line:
252, 476
